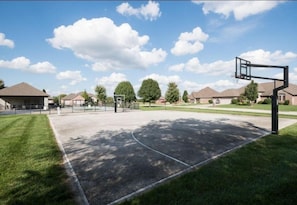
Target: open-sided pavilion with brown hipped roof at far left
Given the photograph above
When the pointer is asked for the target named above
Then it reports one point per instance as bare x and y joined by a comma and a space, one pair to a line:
23, 96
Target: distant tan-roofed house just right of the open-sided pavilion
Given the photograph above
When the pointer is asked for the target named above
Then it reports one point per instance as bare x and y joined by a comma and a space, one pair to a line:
76, 99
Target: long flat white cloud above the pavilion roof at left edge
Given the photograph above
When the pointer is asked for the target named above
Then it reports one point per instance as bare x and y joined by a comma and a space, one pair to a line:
23, 63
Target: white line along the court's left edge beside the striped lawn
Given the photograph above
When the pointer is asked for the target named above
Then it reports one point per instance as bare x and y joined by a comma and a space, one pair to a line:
69, 168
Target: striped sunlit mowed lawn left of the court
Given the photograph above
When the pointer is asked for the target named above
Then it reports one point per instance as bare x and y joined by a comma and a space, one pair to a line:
31, 169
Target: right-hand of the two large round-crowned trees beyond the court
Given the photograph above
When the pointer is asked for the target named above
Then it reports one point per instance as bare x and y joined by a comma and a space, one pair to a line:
149, 90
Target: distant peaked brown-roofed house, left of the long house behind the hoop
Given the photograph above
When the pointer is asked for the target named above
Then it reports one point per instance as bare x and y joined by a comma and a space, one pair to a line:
203, 96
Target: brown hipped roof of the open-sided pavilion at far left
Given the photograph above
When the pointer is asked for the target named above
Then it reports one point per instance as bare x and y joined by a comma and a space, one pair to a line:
22, 90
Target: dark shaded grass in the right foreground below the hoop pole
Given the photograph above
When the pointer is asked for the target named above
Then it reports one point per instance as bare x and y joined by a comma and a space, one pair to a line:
263, 172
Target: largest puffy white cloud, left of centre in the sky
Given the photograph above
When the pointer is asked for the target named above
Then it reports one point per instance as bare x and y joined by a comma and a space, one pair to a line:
106, 45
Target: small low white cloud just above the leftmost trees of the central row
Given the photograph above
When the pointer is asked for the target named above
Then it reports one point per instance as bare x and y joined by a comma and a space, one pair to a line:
110, 82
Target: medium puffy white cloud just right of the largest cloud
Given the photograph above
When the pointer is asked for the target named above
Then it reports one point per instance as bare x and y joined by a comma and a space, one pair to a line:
189, 42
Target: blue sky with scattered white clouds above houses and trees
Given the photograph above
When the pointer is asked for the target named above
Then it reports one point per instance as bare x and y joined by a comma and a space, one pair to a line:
70, 46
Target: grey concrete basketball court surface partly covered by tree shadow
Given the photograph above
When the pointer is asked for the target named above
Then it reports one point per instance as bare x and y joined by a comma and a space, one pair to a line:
116, 155
